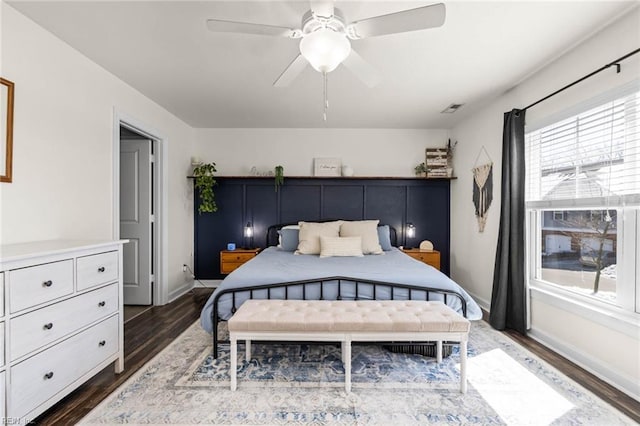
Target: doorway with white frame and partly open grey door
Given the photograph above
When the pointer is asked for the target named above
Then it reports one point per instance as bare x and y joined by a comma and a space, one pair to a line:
139, 194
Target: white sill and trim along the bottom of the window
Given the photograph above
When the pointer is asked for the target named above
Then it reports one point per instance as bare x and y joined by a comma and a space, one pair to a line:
627, 323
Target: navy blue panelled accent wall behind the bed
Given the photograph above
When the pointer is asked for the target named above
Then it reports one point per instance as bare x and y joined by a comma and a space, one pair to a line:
396, 202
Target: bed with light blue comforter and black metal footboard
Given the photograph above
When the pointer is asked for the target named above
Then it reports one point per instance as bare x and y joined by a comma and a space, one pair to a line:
279, 274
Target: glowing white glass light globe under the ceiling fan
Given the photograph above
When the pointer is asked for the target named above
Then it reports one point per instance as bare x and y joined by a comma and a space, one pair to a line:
325, 49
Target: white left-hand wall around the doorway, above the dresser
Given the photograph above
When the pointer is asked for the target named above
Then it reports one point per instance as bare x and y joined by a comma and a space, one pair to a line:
62, 158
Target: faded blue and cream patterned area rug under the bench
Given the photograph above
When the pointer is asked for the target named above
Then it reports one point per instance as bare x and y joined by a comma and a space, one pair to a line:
304, 384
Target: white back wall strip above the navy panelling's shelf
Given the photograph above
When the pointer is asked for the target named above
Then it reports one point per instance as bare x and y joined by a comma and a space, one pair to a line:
370, 152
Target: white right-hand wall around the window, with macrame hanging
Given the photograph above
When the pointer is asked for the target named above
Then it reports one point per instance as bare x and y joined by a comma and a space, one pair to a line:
473, 253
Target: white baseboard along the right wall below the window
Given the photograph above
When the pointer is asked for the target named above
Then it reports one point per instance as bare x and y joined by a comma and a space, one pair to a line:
592, 365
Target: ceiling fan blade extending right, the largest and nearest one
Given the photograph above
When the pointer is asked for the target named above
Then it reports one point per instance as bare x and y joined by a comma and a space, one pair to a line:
400, 22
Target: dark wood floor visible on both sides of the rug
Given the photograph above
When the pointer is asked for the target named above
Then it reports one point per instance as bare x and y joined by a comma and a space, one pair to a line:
149, 333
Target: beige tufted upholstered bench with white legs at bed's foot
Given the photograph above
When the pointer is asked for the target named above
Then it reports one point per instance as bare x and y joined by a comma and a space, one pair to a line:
346, 322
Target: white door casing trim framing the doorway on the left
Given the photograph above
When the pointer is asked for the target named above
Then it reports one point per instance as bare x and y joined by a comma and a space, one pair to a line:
160, 296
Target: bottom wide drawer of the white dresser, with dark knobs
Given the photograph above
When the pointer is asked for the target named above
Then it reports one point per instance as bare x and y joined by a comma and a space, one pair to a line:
40, 377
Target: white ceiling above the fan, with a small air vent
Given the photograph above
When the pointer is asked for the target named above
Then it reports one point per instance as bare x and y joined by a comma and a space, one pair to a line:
163, 49
